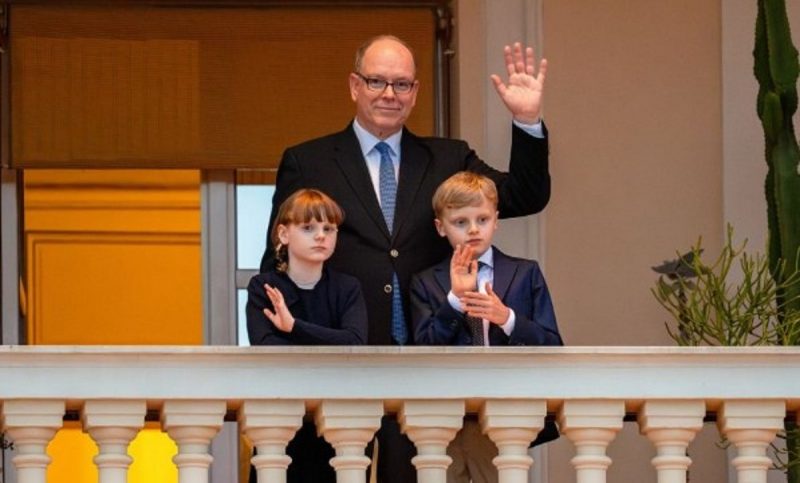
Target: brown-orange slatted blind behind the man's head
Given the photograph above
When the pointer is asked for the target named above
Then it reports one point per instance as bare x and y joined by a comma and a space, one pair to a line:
197, 87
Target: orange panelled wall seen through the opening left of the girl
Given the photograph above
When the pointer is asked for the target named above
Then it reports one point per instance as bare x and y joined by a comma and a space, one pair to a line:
113, 257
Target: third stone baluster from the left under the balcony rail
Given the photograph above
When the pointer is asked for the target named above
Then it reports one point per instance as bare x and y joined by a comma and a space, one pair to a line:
192, 425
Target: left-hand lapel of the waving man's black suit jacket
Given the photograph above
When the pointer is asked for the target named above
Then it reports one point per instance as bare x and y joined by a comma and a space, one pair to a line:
351, 161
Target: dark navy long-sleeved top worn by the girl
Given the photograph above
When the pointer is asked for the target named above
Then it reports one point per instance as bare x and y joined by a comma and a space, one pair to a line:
333, 313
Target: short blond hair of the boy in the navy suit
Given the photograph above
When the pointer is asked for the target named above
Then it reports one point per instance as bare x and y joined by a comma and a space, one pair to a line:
463, 189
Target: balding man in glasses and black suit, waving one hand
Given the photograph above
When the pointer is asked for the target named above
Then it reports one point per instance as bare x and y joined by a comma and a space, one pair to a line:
384, 247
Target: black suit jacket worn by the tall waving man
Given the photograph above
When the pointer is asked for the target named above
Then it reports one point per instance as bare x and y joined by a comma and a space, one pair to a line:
366, 249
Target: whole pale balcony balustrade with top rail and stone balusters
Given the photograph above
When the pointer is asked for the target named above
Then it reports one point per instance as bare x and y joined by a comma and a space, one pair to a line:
589, 391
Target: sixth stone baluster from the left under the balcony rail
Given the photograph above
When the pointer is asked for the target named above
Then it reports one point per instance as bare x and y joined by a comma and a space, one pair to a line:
431, 425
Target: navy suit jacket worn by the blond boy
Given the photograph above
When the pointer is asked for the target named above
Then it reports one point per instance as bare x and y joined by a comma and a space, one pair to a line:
519, 284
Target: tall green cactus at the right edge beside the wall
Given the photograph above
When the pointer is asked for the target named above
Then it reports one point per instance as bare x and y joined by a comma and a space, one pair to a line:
776, 68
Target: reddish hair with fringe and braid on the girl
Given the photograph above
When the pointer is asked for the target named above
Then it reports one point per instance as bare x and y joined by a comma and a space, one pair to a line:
303, 206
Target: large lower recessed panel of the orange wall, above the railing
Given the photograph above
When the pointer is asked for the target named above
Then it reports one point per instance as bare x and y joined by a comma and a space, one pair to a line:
101, 288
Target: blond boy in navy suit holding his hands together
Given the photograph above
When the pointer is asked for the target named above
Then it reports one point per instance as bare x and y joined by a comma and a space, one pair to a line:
482, 297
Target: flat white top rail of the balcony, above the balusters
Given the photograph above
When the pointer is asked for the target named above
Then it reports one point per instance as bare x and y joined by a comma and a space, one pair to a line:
633, 374
